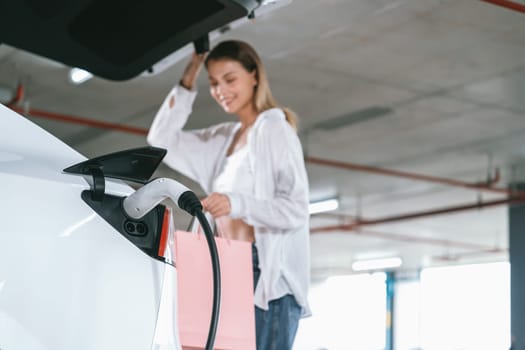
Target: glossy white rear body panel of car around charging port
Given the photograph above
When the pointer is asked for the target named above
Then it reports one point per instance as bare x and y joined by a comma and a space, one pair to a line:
68, 279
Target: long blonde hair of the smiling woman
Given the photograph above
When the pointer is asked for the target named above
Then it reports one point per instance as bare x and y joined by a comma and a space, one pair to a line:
246, 55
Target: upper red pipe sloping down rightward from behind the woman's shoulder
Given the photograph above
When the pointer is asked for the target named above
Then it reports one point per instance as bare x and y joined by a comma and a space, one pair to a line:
412, 176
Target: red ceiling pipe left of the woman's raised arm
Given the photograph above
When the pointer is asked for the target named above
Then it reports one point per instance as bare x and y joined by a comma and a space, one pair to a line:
80, 120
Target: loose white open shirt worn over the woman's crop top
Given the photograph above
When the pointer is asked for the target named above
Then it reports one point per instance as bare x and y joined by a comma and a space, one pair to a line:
278, 206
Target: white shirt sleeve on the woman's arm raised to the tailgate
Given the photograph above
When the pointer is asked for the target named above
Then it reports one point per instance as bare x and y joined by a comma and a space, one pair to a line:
193, 152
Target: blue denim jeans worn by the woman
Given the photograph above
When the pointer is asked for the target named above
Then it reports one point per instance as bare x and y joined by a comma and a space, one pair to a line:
276, 327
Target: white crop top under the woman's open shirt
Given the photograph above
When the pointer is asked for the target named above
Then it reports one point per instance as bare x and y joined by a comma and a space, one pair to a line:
235, 175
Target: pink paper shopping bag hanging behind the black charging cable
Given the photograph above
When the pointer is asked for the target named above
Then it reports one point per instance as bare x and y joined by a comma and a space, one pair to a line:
236, 328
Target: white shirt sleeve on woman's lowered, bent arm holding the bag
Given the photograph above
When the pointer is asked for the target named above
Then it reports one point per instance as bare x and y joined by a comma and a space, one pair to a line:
288, 207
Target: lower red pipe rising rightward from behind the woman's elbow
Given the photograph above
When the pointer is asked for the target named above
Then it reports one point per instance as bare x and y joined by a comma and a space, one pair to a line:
388, 219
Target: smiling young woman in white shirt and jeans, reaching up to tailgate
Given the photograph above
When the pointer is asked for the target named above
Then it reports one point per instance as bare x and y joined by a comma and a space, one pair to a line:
253, 172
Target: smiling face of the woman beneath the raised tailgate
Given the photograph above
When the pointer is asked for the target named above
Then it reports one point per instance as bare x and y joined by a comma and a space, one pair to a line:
231, 85
